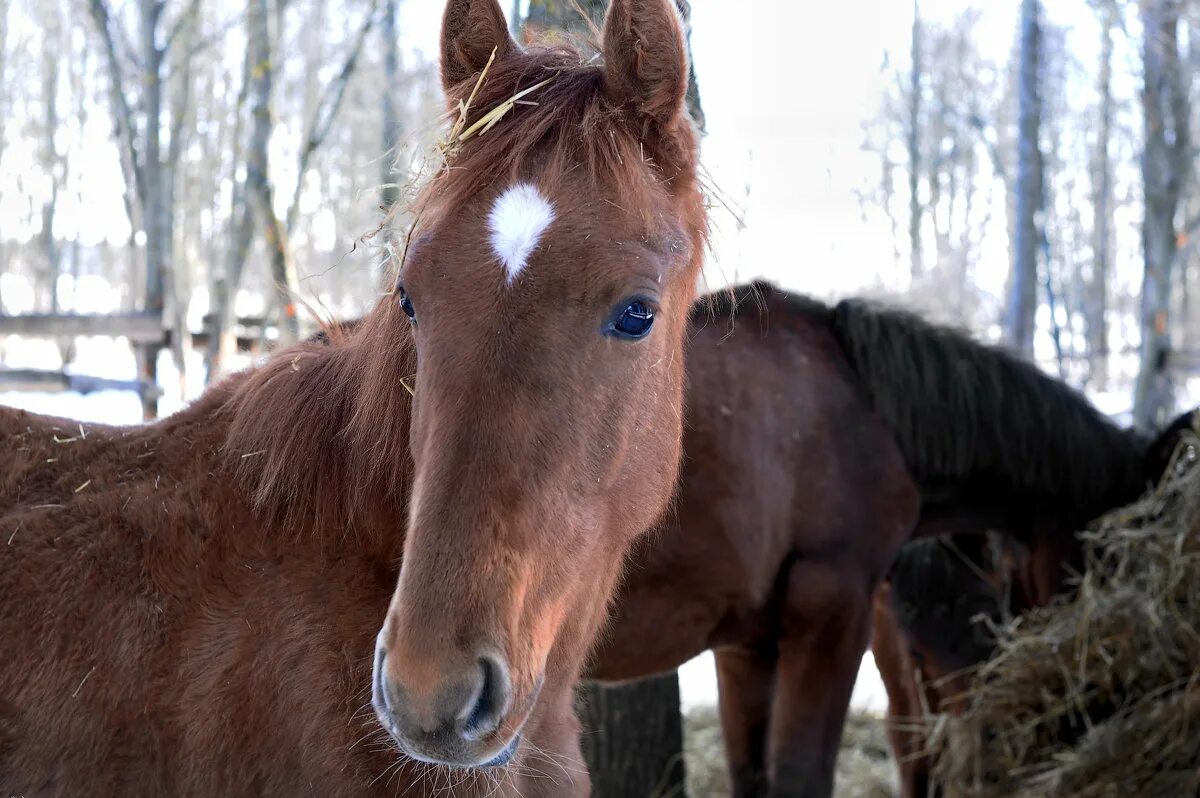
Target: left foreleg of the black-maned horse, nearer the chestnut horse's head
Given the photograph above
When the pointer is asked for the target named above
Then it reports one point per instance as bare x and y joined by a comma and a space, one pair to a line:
746, 677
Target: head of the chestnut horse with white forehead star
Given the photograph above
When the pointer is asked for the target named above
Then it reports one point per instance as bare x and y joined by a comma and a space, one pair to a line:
548, 286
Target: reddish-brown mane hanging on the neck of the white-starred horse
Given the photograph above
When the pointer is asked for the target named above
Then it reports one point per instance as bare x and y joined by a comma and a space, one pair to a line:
320, 434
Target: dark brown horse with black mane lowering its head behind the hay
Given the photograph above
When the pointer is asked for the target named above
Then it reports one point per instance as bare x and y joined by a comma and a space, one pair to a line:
819, 440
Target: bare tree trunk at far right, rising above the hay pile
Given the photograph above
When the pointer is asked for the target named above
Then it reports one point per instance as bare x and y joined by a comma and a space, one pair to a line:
1166, 171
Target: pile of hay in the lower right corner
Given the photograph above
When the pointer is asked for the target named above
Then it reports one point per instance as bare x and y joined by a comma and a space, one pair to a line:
1100, 697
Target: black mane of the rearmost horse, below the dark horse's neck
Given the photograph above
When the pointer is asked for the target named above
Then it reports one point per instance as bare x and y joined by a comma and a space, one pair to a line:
941, 598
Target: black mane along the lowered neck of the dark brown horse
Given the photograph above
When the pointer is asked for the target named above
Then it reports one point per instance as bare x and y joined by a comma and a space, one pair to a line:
976, 416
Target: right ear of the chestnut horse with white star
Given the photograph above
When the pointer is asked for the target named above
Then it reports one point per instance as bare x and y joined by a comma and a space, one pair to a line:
645, 57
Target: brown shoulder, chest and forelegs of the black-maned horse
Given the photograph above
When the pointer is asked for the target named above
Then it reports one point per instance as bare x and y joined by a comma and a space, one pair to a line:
793, 502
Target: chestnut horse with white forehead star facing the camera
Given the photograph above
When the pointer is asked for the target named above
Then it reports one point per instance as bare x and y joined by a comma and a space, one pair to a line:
195, 608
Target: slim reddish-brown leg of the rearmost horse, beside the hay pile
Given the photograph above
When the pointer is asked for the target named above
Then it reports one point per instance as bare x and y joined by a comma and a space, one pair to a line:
905, 711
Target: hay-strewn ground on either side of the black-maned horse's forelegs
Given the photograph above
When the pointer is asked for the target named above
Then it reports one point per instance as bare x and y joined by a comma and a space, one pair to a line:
865, 765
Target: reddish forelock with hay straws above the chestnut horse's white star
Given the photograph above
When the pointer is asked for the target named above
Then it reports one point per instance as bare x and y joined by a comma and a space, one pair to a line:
568, 125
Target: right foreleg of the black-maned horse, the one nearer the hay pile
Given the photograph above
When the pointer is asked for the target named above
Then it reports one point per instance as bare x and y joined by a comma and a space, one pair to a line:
825, 631
